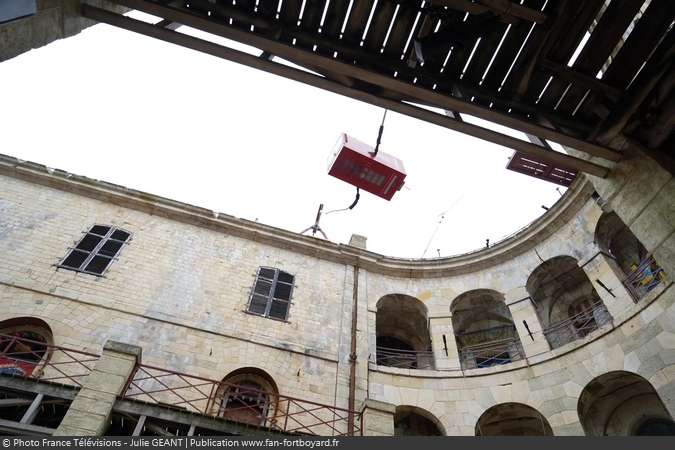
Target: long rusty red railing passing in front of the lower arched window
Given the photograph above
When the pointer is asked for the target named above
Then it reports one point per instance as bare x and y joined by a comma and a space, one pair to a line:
252, 406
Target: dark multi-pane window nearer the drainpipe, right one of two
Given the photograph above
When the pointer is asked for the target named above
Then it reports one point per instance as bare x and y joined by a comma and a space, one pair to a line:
271, 293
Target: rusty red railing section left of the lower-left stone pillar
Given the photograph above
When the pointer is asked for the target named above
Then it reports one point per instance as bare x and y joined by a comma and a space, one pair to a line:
40, 360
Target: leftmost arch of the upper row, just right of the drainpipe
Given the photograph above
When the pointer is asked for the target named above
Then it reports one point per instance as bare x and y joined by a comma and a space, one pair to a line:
402, 333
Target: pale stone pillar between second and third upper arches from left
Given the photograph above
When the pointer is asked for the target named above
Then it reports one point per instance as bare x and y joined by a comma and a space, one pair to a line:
521, 308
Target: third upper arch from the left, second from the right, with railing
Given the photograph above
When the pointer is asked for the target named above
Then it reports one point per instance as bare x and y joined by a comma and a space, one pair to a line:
567, 304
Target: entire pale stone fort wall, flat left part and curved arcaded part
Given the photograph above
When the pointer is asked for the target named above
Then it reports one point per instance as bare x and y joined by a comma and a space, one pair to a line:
179, 291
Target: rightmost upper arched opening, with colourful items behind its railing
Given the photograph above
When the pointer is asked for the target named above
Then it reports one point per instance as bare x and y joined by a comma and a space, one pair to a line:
639, 271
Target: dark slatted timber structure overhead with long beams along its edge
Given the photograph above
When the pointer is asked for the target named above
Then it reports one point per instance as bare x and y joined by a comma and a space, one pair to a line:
574, 72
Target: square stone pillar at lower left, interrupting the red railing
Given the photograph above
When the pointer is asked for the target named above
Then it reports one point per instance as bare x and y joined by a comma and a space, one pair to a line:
89, 414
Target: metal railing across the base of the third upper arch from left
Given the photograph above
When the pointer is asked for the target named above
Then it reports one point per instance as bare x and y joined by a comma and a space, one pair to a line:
578, 325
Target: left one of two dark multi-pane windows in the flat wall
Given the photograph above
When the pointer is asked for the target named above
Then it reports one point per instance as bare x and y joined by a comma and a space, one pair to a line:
96, 250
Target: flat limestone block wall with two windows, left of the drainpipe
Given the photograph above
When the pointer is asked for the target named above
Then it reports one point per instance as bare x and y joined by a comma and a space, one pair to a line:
178, 290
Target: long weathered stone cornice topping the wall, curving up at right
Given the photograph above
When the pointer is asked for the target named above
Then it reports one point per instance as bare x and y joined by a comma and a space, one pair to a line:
536, 232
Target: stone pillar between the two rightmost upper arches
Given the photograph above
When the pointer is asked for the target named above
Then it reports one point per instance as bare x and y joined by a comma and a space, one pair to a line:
600, 272
